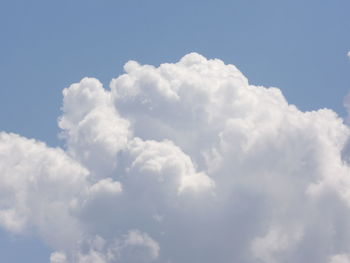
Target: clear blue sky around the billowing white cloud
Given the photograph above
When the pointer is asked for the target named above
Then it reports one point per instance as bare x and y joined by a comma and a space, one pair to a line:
299, 46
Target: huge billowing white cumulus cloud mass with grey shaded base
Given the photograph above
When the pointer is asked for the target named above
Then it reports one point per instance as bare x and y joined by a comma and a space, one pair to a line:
185, 162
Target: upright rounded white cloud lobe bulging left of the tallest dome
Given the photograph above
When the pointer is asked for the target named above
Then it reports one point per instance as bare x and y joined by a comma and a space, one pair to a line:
92, 127
